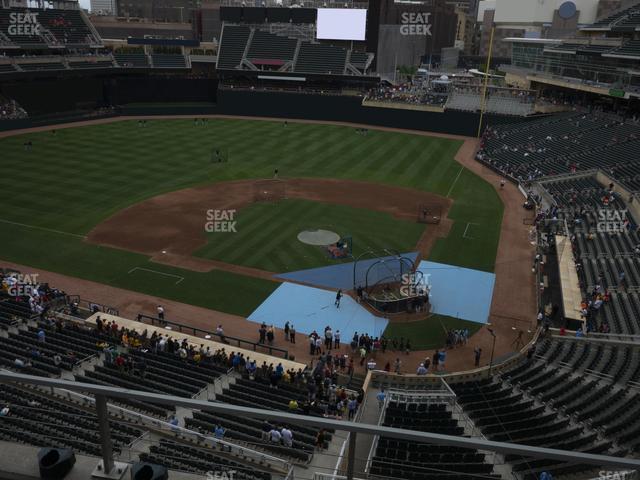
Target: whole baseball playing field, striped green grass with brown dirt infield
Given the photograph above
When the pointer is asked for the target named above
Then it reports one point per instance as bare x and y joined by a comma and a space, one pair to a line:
58, 193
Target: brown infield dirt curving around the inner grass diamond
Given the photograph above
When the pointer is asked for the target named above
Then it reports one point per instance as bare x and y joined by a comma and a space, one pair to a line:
171, 227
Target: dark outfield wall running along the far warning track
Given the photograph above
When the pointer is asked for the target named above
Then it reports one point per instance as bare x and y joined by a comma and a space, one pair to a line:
77, 98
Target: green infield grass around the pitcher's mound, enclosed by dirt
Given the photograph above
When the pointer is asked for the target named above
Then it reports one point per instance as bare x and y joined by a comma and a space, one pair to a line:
266, 236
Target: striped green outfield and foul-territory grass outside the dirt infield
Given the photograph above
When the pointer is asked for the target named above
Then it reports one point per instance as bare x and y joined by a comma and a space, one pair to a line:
69, 182
